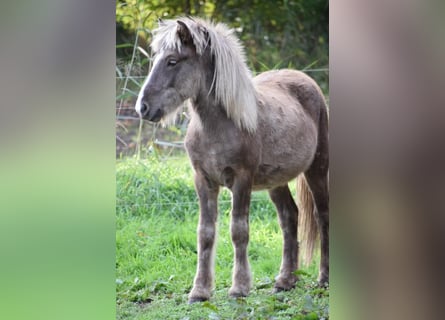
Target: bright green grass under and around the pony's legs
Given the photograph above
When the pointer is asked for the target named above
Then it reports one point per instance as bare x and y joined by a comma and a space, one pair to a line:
157, 214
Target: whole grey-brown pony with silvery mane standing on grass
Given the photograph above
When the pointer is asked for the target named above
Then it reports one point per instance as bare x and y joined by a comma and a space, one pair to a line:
245, 134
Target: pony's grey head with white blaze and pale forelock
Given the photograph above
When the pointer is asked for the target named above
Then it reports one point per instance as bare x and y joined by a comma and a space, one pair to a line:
178, 69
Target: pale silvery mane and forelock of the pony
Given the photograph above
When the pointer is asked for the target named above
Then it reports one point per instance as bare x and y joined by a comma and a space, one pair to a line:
232, 82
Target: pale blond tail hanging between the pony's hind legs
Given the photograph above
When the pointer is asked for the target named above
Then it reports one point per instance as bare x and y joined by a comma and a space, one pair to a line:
307, 225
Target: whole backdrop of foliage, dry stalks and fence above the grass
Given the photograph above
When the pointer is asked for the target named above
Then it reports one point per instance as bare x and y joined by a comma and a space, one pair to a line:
276, 34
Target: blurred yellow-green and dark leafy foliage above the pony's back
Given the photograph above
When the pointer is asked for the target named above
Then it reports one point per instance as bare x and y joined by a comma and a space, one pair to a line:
276, 34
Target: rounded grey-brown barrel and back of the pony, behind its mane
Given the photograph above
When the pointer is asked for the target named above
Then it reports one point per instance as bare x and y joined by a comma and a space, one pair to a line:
289, 105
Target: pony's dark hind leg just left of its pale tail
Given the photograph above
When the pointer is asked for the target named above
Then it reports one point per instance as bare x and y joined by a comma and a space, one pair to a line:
288, 218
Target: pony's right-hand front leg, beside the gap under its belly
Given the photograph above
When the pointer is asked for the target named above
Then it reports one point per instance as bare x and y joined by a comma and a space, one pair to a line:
241, 279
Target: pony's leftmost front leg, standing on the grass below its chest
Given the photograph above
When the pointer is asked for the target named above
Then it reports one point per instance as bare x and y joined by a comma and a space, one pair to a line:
208, 197
